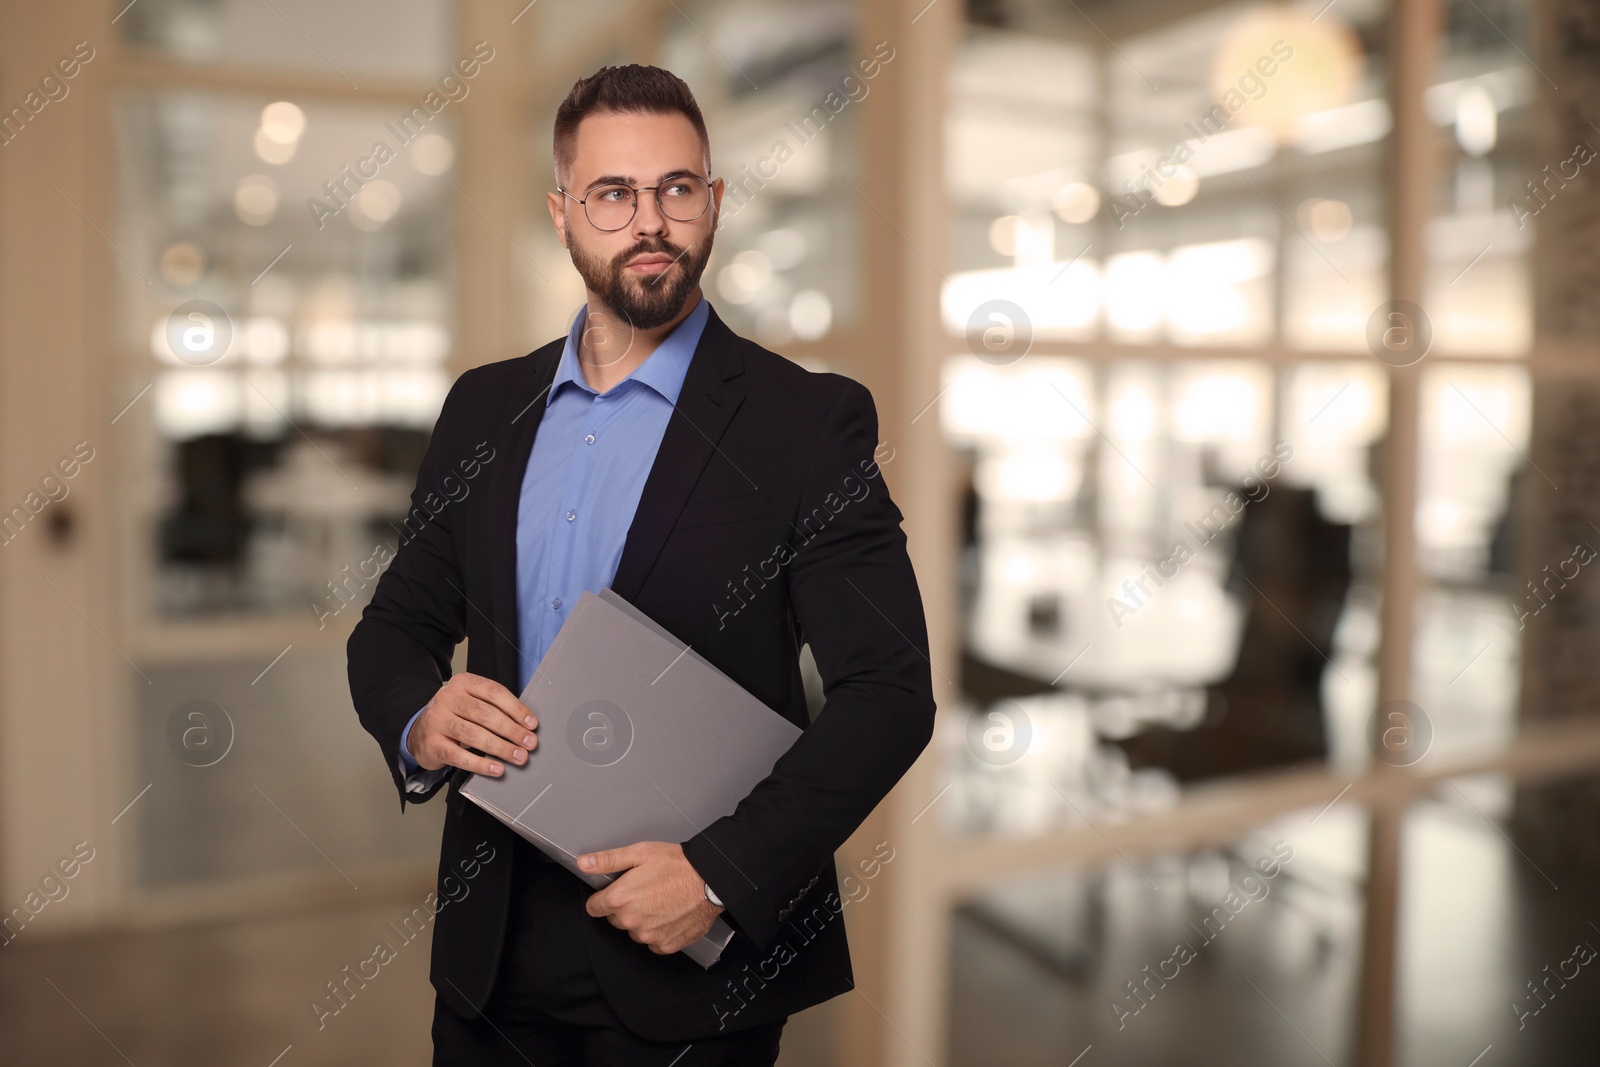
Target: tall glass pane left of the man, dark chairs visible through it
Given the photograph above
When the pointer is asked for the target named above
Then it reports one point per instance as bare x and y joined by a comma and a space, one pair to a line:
289, 314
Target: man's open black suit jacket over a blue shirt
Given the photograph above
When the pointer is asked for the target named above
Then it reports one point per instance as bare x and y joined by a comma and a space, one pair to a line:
764, 524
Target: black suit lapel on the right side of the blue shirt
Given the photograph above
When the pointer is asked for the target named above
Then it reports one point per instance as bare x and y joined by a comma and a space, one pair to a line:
706, 406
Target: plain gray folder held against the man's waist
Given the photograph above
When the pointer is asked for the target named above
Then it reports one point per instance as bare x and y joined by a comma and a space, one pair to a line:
641, 740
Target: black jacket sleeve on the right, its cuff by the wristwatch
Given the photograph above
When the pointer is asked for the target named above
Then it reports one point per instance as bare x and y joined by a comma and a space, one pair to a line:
857, 602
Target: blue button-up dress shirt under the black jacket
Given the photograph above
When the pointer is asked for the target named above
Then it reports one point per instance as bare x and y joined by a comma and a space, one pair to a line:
582, 489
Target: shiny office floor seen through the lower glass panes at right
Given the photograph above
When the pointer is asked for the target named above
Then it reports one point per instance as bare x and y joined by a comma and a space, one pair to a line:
1042, 969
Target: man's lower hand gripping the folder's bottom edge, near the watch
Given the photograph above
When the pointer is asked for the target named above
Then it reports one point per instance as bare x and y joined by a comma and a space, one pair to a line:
662, 900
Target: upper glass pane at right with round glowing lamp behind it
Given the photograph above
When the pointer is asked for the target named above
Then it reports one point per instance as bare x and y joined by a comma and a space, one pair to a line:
1210, 182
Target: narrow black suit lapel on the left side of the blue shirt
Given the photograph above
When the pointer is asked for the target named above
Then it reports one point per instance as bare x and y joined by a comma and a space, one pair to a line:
526, 412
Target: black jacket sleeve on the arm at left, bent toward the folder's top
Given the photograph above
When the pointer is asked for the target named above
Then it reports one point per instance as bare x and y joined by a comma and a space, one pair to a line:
401, 650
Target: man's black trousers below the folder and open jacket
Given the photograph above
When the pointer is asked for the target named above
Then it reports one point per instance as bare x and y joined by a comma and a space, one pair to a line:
548, 1009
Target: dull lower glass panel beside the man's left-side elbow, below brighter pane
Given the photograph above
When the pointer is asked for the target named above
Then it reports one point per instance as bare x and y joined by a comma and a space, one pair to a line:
263, 775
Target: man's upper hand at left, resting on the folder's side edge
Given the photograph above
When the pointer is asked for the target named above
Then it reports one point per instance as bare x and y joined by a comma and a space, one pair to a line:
473, 713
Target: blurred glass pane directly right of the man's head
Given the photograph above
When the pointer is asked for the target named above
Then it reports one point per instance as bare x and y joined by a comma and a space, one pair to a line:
783, 86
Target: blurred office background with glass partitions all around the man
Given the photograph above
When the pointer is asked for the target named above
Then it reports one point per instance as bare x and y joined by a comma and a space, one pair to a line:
1242, 377
